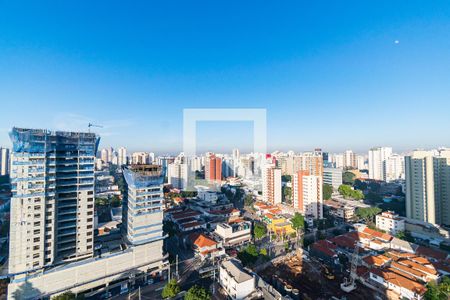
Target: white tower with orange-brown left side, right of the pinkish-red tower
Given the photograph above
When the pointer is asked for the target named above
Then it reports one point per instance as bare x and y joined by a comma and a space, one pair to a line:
307, 194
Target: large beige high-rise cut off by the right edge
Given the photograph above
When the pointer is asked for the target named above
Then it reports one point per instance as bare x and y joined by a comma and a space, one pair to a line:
428, 186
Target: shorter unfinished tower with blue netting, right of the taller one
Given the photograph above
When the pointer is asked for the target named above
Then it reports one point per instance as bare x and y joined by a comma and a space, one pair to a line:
143, 206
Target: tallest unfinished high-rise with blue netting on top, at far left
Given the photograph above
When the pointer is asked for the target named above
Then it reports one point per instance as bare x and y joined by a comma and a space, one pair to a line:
52, 207
